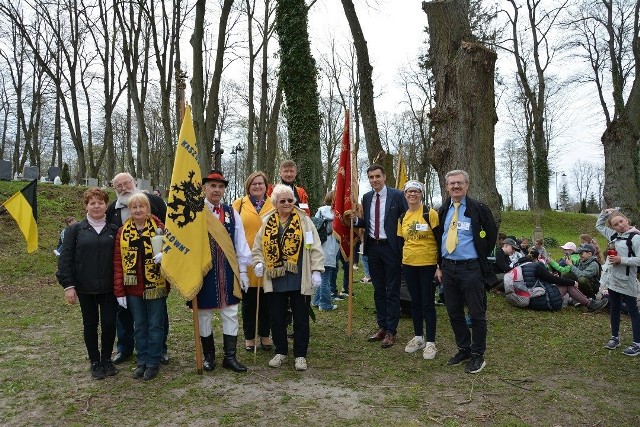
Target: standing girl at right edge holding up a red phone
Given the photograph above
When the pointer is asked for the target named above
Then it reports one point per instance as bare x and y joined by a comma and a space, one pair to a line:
621, 277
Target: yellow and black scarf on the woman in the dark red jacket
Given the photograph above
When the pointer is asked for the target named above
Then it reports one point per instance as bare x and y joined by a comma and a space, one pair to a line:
135, 243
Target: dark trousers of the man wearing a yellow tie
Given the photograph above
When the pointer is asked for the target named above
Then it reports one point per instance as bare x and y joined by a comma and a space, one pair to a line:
464, 286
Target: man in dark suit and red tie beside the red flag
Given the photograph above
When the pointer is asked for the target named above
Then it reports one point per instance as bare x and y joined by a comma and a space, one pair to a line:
382, 208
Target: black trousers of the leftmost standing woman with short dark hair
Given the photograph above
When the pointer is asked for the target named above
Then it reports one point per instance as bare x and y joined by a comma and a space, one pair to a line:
97, 310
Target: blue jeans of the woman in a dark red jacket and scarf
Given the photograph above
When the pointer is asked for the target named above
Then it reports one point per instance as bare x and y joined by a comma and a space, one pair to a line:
148, 316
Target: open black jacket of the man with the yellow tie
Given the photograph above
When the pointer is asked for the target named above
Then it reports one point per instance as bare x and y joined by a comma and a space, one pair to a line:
485, 232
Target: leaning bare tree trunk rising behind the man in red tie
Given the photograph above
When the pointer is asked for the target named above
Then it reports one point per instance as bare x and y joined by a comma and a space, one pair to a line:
367, 107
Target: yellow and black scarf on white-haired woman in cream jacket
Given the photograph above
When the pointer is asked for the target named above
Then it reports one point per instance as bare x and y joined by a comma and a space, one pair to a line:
281, 251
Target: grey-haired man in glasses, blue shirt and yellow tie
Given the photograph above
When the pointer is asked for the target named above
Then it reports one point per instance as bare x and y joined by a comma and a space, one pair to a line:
469, 234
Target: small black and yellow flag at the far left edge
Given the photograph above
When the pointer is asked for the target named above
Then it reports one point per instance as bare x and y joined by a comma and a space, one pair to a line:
23, 207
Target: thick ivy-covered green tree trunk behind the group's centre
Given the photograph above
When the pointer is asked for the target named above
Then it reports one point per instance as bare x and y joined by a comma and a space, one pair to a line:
298, 73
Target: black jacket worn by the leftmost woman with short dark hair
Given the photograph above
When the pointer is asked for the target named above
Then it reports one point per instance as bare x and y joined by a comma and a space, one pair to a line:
86, 258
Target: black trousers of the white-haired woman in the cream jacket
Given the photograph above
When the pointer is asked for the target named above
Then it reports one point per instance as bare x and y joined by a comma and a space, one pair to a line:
279, 302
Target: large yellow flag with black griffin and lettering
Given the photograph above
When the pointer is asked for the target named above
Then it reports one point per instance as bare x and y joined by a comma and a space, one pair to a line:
187, 255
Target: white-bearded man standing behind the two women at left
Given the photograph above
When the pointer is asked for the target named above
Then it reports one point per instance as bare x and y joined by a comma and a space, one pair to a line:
118, 213
